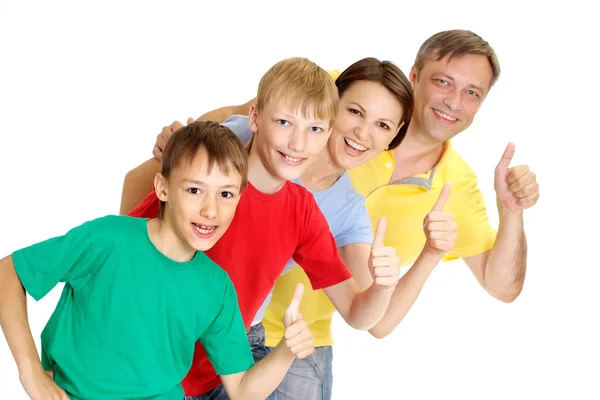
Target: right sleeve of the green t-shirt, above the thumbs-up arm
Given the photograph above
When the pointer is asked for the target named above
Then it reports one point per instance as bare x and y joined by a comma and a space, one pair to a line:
225, 340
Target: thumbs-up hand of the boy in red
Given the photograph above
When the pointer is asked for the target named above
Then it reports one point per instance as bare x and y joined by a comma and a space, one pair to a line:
383, 261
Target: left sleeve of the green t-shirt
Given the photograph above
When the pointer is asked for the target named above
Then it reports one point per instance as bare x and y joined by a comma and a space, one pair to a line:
42, 266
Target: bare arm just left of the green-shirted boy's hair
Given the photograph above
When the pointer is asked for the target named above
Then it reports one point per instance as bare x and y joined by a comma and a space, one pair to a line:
138, 183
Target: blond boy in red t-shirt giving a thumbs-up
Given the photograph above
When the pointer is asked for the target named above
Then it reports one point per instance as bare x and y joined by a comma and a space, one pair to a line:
277, 220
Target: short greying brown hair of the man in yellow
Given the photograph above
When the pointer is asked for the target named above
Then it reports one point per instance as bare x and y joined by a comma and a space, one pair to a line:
457, 43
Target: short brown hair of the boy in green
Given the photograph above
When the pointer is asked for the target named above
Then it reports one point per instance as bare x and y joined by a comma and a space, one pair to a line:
223, 147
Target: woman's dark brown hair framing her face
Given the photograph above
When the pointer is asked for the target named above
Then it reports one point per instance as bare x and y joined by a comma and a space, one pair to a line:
389, 76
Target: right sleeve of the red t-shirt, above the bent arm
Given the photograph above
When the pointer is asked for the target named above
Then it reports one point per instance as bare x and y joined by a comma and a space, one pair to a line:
317, 252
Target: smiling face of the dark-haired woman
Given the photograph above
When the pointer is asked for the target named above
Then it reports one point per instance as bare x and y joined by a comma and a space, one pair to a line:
368, 119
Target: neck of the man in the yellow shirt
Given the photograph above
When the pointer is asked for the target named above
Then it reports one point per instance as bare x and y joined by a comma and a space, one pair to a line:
419, 146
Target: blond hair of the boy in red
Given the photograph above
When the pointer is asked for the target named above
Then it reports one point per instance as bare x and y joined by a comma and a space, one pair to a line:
303, 86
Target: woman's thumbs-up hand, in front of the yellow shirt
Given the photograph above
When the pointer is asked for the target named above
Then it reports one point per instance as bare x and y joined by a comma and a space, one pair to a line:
439, 226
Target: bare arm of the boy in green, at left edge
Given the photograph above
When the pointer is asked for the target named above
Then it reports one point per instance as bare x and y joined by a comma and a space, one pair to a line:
13, 319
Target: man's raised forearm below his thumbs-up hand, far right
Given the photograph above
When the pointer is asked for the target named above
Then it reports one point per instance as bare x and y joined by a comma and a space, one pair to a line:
505, 267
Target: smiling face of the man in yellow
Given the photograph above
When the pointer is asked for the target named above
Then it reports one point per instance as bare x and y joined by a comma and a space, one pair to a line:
448, 94
